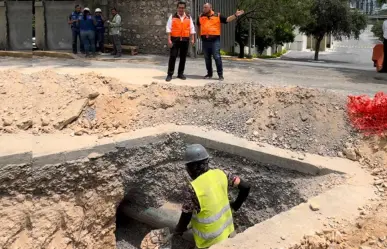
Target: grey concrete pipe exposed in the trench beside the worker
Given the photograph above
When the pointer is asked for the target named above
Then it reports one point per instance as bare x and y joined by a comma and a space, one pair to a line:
156, 217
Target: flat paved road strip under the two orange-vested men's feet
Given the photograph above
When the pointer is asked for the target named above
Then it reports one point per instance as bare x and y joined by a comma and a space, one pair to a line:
349, 80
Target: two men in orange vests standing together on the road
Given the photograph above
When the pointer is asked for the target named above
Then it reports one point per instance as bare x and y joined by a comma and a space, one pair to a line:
181, 31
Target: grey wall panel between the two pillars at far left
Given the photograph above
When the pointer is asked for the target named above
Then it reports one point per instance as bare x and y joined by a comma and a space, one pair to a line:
20, 24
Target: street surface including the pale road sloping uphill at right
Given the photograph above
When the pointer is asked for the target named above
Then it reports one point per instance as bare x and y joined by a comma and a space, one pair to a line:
347, 68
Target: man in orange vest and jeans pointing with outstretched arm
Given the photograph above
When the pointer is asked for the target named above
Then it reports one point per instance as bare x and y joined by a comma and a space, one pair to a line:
209, 24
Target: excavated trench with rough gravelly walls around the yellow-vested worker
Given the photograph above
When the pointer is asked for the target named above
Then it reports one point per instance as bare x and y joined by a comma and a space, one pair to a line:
78, 201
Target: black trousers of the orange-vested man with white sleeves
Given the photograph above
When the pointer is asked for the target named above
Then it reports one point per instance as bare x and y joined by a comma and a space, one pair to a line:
182, 47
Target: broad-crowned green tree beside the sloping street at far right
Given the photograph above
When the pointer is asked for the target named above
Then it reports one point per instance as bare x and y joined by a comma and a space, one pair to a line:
333, 17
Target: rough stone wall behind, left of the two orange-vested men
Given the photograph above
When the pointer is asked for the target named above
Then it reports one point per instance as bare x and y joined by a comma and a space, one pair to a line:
144, 23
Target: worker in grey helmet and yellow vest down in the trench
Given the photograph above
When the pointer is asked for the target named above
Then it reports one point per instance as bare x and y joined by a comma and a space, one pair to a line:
206, 205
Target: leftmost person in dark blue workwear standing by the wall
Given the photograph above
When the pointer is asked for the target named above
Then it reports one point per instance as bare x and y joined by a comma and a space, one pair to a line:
87, 28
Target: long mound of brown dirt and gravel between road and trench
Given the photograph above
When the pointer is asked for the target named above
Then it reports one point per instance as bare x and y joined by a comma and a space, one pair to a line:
293, 118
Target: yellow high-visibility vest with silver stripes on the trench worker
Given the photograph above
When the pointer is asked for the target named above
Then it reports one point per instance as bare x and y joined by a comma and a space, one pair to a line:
214, 222
